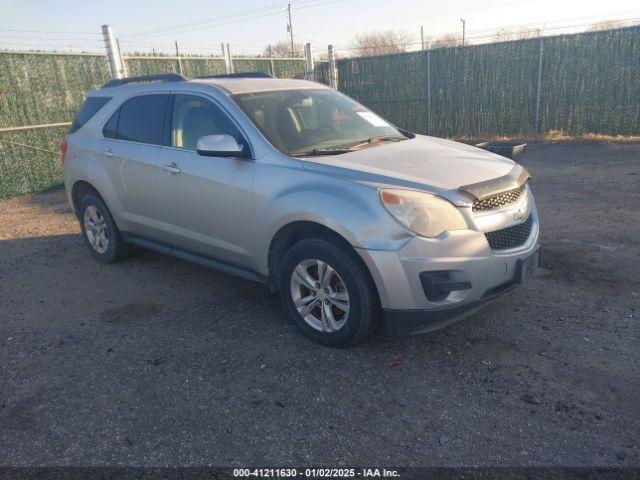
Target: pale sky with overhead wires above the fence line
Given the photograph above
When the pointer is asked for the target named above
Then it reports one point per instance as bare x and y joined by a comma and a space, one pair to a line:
199, 26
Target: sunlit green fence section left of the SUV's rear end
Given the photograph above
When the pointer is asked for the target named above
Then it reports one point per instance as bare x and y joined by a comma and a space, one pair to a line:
40, 94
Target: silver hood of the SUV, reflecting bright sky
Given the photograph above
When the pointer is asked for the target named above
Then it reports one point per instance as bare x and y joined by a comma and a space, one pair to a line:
435, 163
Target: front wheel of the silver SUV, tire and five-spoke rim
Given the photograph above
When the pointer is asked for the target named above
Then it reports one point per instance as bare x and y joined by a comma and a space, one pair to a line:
346, 309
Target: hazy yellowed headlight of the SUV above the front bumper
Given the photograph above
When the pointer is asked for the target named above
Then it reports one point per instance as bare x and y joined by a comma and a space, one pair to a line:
425, 214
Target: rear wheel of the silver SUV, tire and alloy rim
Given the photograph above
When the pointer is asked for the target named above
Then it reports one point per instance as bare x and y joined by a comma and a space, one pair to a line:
99, 231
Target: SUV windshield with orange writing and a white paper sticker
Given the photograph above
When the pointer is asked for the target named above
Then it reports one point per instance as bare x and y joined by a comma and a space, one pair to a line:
315, 122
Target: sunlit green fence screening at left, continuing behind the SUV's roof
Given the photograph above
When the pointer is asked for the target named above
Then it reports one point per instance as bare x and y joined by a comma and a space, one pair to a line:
46, 88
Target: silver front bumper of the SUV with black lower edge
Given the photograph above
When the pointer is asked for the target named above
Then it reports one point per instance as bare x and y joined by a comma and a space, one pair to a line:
466, 255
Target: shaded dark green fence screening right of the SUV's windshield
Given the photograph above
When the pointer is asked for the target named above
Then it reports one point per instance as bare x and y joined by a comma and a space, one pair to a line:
588, 83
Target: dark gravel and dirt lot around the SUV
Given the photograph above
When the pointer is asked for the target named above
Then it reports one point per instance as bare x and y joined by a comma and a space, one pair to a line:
158, 361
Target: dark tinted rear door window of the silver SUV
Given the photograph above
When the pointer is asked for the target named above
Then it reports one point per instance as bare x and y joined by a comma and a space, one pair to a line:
141, 119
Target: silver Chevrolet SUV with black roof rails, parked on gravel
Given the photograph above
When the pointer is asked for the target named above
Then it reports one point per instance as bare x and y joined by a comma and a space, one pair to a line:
292, 184
